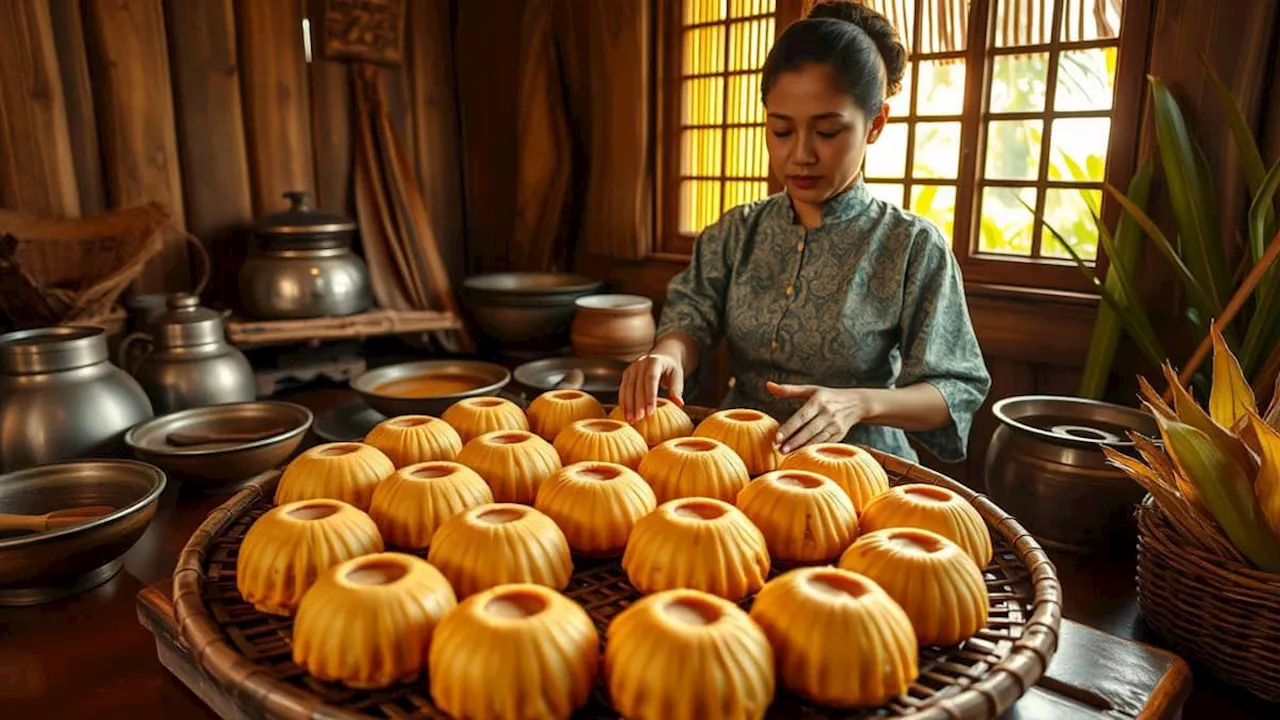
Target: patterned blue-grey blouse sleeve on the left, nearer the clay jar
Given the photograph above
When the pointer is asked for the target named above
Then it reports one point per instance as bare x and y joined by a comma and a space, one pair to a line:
697, 297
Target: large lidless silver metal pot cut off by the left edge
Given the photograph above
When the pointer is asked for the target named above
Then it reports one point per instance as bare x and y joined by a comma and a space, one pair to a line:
62, 399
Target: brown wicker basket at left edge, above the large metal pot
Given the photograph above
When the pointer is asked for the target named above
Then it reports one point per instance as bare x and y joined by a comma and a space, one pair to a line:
56, 271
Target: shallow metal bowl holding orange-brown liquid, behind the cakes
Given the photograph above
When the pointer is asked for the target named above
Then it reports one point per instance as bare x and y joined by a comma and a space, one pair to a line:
492, 376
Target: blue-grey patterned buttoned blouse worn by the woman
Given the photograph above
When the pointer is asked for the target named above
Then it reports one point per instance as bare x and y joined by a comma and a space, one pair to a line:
874, 298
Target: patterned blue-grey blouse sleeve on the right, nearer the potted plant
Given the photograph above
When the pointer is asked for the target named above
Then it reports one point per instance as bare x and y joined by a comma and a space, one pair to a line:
939, 344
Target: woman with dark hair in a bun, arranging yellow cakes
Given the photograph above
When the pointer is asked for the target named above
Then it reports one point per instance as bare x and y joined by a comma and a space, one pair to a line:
845, 316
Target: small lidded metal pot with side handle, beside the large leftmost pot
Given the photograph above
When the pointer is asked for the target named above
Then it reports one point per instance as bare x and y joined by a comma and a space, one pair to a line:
190, 363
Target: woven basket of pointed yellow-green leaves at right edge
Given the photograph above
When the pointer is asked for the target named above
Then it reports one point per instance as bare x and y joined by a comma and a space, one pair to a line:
1209, 534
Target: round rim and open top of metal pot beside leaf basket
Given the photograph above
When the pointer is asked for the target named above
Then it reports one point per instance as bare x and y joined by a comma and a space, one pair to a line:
1075, 421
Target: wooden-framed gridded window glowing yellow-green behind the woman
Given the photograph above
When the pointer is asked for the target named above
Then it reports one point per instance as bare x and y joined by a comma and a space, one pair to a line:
1007, 106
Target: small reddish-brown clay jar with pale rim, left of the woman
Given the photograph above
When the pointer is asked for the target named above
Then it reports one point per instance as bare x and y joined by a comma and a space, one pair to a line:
612, 326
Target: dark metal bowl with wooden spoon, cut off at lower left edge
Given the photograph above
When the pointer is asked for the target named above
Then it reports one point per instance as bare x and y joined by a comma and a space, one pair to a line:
38, 568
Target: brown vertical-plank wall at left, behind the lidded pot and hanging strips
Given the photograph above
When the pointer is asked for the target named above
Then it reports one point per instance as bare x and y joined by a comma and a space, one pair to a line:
212, 108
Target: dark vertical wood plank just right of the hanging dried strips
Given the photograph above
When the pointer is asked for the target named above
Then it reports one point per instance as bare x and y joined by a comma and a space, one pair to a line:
487, 47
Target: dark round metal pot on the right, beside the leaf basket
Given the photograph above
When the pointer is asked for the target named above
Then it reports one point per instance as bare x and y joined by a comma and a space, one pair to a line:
1046, 468
